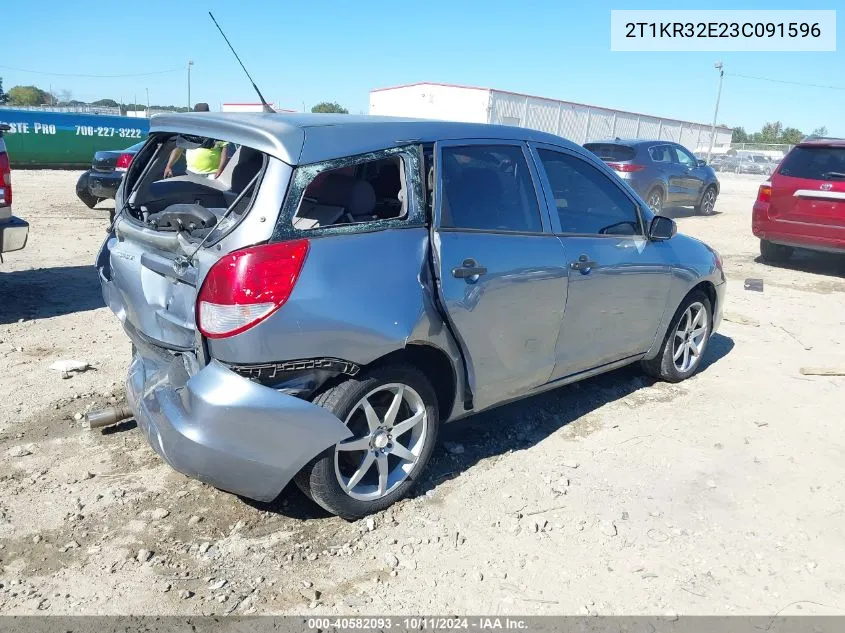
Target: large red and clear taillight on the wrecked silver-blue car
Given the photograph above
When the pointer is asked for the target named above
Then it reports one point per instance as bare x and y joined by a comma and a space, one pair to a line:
245, 287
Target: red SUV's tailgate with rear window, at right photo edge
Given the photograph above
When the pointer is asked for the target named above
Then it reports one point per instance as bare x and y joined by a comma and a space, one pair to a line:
809, 187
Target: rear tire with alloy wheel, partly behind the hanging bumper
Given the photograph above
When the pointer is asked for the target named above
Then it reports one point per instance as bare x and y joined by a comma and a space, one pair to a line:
328, 478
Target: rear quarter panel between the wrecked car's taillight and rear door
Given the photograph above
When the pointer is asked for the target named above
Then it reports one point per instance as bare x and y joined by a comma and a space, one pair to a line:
359, 296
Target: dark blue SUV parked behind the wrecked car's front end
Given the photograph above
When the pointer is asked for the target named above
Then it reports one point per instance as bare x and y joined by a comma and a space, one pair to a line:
665, 174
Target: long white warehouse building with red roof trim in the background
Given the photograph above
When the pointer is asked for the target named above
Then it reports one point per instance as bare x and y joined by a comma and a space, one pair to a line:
577, 122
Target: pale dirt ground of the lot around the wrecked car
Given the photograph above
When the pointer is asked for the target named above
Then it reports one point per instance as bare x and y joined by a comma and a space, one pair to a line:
720, 495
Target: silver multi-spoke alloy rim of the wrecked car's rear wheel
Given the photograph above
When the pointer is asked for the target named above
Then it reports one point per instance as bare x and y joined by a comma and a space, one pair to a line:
389, 427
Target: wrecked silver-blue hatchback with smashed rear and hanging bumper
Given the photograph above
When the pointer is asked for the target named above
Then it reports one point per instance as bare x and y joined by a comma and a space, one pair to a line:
347, 284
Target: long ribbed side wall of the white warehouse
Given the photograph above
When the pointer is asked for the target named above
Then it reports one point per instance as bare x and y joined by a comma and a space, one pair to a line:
582, 123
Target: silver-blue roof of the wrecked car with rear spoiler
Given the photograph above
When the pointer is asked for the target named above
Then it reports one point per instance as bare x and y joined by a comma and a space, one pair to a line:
308, 138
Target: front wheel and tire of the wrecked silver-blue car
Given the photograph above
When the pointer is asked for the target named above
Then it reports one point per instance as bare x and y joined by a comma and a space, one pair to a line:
672, 363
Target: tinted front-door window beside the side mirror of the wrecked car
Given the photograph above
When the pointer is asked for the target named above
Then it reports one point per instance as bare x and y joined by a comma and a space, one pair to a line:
587, 201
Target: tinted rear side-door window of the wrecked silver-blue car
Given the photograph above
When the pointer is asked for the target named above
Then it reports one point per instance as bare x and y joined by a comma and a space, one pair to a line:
488, 187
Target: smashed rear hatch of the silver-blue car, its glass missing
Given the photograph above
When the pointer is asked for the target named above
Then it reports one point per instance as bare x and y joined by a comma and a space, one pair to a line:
151, 273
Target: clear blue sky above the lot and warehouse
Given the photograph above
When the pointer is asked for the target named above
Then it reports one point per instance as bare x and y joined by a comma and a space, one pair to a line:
303, 52
